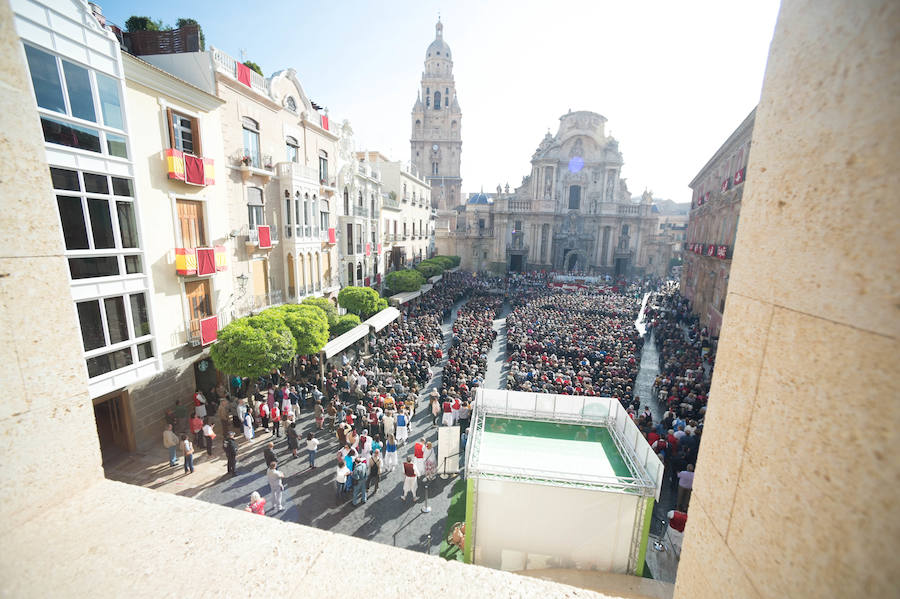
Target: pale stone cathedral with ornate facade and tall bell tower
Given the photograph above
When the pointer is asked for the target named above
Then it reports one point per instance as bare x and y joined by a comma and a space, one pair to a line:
572, 213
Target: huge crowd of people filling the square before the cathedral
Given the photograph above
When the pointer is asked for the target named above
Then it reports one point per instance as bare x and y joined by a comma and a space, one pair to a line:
578, 341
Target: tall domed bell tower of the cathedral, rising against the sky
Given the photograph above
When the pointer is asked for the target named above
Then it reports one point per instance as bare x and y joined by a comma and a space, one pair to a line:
436, 142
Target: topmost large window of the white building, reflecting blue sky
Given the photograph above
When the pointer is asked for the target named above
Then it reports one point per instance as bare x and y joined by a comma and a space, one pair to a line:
70, 90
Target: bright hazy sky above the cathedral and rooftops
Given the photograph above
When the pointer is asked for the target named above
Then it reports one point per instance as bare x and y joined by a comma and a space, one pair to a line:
673, 79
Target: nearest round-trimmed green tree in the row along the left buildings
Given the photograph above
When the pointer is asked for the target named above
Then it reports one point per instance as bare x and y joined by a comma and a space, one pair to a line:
253, 346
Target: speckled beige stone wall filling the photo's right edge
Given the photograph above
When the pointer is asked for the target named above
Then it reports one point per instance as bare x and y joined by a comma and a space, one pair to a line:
796, 483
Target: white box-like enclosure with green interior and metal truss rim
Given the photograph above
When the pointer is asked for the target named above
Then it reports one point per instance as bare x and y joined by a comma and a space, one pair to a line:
557, 481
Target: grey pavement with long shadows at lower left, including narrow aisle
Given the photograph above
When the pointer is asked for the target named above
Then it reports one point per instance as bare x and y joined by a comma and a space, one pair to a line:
309, 496
